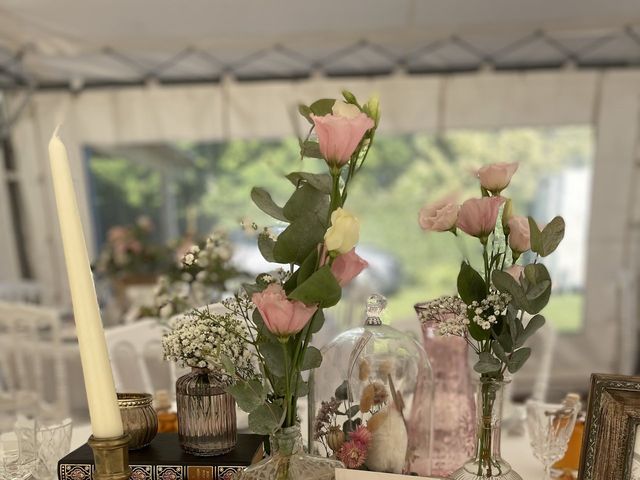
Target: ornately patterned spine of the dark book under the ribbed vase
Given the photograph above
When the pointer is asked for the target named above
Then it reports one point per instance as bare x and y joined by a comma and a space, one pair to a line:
67, 471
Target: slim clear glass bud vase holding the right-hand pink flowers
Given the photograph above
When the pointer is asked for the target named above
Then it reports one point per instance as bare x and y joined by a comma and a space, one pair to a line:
487, 463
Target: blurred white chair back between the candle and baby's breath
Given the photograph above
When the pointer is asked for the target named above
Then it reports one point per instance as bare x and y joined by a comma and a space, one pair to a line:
136, 357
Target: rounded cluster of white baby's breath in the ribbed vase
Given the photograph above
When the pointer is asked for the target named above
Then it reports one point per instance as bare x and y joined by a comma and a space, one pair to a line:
205, 339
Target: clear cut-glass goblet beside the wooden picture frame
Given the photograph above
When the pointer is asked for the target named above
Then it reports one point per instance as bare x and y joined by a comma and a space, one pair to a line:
549, 426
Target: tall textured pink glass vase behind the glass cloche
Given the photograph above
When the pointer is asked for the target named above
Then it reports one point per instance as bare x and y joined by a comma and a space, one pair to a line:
454, 405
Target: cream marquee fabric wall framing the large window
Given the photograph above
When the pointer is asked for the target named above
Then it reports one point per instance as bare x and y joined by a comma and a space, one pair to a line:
608, 100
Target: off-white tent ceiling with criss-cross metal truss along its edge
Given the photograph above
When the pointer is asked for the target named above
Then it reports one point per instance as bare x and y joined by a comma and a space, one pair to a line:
51, 44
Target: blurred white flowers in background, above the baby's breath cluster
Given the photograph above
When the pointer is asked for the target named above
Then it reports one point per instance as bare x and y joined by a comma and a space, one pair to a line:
203, 273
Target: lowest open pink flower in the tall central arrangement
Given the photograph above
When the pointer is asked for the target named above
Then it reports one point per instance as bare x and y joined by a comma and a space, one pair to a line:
283, 317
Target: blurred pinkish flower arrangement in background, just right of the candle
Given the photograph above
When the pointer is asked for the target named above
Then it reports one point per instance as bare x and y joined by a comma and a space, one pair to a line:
129, 251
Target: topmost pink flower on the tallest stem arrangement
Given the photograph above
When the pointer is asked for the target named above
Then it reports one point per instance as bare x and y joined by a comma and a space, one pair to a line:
340, 132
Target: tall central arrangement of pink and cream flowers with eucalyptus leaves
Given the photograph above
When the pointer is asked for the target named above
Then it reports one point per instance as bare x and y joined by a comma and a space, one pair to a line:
317, 248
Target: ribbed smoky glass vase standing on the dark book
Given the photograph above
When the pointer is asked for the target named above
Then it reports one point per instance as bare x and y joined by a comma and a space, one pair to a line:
206, 414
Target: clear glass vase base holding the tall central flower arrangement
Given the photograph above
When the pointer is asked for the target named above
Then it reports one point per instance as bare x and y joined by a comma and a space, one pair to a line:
288, 461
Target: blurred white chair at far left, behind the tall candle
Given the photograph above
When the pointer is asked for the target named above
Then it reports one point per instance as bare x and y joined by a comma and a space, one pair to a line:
32, 370
